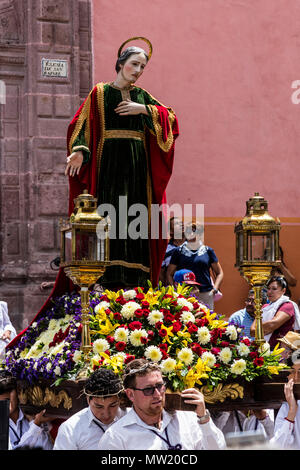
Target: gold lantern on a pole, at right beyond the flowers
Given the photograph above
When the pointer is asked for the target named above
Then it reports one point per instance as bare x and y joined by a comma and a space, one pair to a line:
257, 251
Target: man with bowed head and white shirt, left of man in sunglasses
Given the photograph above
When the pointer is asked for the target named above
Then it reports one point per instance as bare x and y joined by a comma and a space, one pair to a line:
83, 430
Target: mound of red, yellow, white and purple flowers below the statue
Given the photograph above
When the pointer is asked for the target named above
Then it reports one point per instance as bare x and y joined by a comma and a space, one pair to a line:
192, 345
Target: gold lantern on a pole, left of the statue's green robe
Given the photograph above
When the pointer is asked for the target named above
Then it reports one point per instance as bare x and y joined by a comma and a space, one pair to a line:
85, 255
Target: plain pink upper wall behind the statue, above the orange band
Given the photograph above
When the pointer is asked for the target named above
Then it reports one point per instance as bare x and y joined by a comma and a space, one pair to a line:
226, 67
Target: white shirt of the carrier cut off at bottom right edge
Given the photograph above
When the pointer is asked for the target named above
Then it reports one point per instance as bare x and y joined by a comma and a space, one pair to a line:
286, 434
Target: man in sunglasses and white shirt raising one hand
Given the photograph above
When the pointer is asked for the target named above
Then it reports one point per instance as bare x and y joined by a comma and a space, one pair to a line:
148, 426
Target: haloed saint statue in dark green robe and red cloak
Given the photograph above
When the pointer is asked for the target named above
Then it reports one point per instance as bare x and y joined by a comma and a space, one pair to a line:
121, 144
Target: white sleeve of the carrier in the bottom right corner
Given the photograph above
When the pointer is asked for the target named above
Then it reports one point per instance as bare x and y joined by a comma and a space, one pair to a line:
284, 430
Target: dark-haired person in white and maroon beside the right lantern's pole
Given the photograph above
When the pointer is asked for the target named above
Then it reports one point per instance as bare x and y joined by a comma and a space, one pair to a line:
280, 315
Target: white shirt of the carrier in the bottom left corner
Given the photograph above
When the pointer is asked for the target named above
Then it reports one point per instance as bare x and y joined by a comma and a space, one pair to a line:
26, 433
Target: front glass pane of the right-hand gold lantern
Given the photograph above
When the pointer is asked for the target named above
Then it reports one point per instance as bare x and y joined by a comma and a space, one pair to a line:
261, 247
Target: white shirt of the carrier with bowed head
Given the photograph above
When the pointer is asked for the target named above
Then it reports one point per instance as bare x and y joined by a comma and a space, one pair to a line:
82, 431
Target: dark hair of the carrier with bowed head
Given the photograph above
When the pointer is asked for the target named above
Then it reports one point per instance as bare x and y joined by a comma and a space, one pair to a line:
103, 382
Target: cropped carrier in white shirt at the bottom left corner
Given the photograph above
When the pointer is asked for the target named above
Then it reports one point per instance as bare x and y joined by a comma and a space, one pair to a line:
22, 432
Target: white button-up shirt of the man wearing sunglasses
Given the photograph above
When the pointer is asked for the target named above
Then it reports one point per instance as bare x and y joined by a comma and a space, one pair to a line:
183, 427
